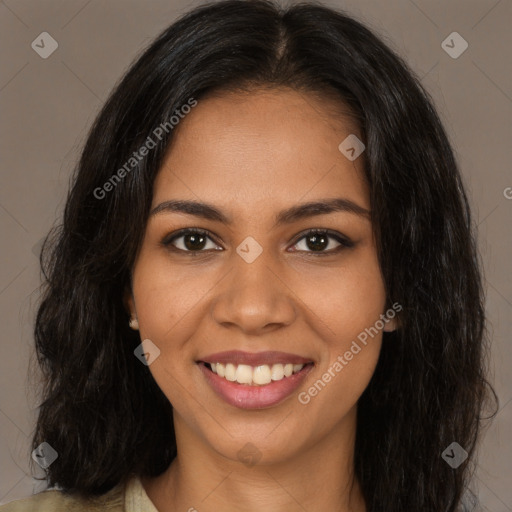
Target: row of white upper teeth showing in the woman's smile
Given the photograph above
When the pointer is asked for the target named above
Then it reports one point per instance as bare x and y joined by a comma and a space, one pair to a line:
255, 376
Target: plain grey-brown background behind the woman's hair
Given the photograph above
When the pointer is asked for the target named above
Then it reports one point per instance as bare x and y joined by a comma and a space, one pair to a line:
47, 106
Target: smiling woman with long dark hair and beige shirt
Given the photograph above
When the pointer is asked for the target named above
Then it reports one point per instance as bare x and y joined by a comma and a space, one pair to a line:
268, 230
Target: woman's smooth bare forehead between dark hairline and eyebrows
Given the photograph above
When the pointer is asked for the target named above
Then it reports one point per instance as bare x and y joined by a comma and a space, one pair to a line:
280, 144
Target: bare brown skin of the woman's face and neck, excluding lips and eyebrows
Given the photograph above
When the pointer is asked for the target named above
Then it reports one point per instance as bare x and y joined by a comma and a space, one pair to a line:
252, 155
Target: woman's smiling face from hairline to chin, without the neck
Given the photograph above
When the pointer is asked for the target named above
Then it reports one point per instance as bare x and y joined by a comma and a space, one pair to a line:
257, 284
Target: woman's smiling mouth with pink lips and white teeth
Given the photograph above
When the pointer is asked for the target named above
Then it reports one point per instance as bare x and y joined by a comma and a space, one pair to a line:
254, 381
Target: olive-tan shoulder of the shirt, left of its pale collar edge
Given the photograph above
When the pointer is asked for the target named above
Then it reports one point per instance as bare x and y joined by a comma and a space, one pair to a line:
58, 501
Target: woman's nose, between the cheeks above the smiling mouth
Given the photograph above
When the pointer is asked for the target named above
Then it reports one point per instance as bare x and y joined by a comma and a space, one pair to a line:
254, 297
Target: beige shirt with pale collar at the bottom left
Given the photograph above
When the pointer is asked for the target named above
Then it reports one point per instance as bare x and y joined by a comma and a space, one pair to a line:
129, 498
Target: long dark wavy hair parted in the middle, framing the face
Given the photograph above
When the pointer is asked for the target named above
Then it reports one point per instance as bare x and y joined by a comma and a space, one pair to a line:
101, 409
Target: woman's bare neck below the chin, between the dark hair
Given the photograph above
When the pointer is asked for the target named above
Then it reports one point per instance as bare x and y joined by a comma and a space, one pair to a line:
320, 477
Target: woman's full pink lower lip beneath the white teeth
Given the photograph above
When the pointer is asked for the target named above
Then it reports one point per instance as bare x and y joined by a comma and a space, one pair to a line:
254, 397
